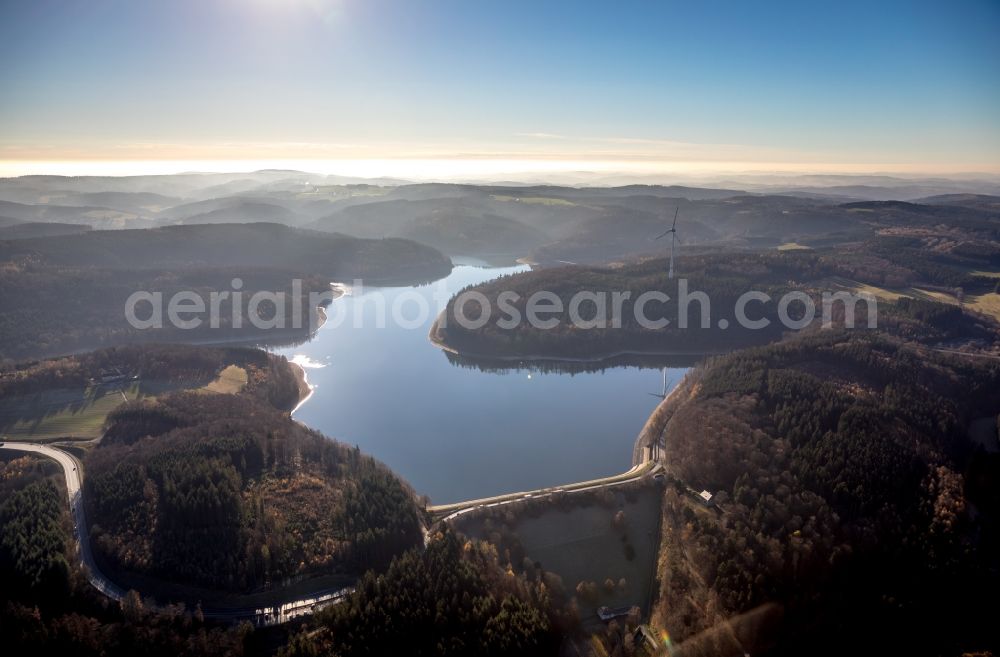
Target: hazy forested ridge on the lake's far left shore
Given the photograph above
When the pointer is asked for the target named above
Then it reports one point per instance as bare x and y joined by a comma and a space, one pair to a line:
67, 293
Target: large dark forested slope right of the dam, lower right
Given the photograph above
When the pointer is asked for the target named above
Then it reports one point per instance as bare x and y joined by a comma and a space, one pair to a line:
841, 468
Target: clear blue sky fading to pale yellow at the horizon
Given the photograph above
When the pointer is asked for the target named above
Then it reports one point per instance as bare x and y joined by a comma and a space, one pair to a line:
444, 86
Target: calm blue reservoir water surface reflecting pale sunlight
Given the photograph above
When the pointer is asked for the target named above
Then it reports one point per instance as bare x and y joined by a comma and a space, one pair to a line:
459, 433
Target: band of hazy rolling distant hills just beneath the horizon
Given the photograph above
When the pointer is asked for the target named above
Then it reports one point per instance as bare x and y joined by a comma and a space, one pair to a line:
546, 223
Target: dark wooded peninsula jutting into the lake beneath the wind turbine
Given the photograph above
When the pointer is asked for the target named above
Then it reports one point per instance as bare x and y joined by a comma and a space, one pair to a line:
723, 277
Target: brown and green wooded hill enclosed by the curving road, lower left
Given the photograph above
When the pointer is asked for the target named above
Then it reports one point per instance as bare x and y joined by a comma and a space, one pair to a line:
227, 492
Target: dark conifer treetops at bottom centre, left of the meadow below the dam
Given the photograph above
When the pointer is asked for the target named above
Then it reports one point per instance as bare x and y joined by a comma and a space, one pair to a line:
452, 598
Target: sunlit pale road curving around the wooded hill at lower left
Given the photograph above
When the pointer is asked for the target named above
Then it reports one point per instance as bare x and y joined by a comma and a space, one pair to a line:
74, 486
